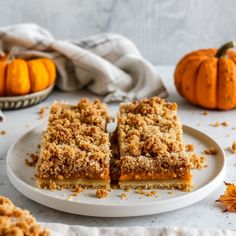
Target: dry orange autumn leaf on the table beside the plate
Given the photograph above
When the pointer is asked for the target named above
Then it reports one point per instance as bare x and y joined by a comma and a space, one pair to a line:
229, 197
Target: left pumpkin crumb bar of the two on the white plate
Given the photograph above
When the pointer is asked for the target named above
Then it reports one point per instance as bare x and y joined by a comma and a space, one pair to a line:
75, 148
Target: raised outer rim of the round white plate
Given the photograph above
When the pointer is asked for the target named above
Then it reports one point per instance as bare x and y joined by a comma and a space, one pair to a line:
213, 184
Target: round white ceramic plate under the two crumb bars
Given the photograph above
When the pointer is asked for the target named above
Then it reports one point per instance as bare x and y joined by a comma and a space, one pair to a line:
205, 182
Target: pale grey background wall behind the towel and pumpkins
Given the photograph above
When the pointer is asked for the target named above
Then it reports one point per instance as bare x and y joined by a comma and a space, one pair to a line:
163, 30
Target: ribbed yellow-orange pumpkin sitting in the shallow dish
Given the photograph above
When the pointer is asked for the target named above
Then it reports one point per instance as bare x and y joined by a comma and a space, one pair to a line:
20, 77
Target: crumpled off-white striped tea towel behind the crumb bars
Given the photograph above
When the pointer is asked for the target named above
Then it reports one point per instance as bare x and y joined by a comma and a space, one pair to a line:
106, 64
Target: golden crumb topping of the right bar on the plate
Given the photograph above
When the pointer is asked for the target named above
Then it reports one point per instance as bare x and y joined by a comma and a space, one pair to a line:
150, 138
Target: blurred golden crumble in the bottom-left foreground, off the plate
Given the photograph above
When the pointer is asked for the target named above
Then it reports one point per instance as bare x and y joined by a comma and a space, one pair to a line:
15, 221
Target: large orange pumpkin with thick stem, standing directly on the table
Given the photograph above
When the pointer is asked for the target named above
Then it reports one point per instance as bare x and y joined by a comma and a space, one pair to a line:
207, 77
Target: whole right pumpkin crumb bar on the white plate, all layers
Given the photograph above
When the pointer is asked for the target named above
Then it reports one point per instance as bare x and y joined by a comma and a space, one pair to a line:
151, 150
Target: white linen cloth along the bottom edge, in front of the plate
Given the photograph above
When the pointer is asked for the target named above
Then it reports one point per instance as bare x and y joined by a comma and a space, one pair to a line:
73, 230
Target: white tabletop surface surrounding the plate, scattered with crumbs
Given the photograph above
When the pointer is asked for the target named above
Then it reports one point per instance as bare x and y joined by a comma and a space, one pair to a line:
205, 214
